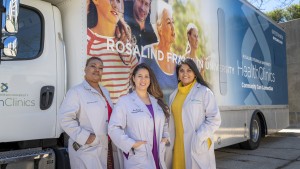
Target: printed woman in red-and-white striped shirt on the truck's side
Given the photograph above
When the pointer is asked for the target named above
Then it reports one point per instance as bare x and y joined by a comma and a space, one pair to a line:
104, 17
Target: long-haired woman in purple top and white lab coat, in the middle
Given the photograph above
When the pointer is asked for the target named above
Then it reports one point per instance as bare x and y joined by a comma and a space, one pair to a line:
138, 125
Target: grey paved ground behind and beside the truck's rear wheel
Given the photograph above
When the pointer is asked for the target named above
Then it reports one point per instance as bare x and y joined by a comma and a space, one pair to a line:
277, 151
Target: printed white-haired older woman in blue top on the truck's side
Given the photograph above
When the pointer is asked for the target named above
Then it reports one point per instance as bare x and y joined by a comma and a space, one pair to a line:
159, 55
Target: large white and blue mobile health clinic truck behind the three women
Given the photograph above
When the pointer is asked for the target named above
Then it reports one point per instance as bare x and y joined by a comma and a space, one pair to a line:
239, 51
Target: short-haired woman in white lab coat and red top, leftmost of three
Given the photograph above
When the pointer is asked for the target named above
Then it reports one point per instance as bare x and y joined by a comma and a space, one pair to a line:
84, 116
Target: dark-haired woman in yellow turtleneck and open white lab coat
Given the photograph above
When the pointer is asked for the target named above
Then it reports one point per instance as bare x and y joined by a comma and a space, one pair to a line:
194, 119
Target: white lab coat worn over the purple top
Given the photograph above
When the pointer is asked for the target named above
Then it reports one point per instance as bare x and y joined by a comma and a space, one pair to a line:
131, 121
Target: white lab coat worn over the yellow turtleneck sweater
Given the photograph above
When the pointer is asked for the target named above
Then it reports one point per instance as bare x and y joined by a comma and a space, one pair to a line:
201, 118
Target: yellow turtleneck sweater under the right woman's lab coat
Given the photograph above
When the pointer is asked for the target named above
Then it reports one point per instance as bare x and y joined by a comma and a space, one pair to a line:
176, 107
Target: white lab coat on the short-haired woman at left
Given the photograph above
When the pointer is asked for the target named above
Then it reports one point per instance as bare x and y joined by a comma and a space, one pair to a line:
84, 111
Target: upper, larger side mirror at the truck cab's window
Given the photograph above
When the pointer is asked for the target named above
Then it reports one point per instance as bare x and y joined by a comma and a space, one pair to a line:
11, 16
